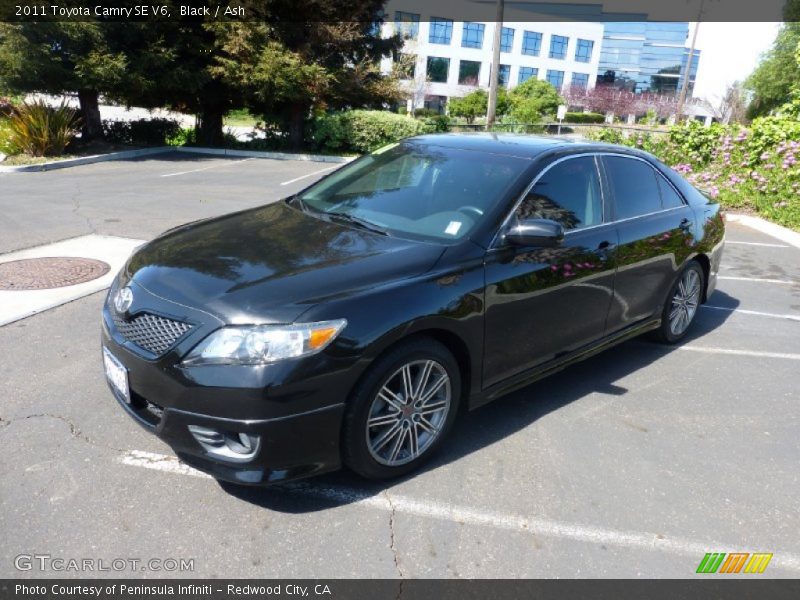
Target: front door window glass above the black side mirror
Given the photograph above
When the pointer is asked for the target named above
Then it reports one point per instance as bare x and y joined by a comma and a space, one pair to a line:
569, 193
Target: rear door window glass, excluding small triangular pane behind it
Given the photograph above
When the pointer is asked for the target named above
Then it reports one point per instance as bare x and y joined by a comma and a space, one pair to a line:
633, 185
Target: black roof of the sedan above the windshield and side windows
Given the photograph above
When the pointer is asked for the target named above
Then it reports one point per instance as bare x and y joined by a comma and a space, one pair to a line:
521, 145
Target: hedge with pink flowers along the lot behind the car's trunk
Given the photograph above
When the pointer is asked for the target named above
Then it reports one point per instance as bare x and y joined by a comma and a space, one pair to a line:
753, 169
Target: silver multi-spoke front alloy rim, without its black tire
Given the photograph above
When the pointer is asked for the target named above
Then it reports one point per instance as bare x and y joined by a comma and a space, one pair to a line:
409, 412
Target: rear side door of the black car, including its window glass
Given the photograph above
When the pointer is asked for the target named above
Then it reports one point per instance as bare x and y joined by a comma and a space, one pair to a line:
655, 235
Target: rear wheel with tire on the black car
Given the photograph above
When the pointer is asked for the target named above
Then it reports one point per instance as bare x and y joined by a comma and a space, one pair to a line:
681, 304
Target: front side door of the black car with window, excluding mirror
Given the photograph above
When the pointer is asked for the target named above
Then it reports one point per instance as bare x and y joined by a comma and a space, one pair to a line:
544, 302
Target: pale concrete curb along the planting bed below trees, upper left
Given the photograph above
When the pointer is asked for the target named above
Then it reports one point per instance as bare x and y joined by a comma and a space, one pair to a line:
126, 154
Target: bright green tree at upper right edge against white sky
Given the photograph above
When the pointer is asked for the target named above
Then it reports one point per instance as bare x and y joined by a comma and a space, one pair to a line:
772, 80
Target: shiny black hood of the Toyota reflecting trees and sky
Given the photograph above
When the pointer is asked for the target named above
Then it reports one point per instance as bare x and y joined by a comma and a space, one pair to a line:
272, 263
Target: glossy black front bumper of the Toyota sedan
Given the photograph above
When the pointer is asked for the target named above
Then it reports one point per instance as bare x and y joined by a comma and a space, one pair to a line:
294, 408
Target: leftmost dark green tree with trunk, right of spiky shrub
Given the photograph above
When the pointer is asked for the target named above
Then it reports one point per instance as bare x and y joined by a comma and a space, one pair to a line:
60, 58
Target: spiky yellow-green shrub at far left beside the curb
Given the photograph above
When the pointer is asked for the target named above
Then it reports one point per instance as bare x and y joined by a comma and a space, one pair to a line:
41, 130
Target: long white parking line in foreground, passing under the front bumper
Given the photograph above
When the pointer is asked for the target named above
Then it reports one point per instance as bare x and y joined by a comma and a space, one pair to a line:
485, 518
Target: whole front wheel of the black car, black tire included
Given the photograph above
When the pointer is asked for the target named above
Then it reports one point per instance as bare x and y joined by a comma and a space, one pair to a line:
401, 410
